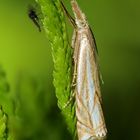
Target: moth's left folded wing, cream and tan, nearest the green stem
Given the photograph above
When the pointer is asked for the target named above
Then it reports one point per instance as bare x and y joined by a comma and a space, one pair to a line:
84, 122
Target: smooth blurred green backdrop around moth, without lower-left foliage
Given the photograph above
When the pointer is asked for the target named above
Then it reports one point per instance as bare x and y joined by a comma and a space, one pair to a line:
116, 27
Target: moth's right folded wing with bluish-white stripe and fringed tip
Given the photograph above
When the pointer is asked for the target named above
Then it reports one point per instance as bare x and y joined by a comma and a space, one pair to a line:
93, 86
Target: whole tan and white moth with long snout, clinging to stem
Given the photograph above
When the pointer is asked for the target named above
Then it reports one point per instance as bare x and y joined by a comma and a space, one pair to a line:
90, 119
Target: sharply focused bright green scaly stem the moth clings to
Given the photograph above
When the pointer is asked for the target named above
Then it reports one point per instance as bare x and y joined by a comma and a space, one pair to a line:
54, 25
